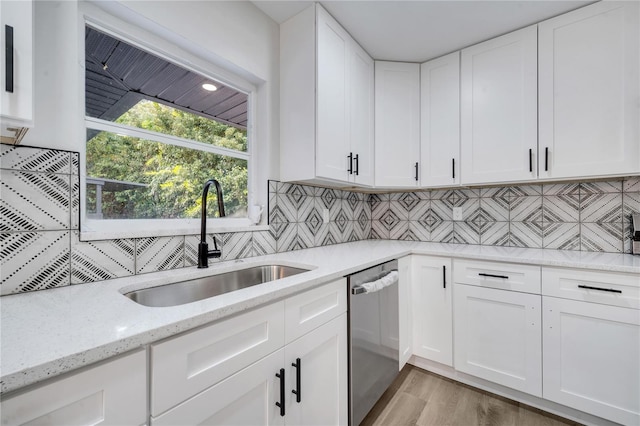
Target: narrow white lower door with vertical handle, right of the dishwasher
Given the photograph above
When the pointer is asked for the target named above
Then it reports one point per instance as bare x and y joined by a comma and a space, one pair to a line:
432, 313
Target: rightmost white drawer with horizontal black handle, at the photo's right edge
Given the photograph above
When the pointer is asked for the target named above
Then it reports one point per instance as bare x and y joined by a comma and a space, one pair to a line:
608, 288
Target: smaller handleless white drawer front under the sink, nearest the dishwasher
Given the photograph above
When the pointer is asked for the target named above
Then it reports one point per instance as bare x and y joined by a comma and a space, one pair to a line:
309, 310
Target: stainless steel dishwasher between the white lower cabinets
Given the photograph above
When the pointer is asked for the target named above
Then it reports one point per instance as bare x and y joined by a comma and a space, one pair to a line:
373, 336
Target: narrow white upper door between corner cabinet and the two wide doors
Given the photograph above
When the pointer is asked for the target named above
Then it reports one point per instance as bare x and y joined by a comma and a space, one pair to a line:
440, 121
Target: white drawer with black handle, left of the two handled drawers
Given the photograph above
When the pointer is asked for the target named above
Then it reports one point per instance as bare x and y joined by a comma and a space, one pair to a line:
503, 276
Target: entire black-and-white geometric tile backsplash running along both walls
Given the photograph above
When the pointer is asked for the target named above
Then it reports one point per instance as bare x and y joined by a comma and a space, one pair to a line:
39, 222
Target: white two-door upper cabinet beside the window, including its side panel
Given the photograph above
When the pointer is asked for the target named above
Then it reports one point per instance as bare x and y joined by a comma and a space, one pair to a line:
326, 102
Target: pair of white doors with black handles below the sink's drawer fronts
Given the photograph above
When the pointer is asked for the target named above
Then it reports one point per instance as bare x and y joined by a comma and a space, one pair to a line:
314, 366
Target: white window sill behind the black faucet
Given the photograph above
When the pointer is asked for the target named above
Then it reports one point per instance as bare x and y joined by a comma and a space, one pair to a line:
123, 229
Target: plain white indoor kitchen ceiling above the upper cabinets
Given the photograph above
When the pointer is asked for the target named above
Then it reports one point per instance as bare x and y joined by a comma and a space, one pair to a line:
416, 31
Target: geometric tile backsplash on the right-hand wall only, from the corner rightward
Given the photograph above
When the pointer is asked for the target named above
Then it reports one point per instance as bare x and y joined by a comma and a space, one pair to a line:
588, 216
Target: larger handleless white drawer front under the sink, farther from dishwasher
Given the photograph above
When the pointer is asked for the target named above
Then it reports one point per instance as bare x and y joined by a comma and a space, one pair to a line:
188, 364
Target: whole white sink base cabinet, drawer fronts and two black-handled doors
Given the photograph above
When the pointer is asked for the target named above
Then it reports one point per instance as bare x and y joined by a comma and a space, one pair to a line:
243, 370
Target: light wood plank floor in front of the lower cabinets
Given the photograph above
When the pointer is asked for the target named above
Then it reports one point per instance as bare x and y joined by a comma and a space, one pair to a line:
418, 397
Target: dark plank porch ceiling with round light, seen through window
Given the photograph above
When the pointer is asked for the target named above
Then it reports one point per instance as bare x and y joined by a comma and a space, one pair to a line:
119, 75
